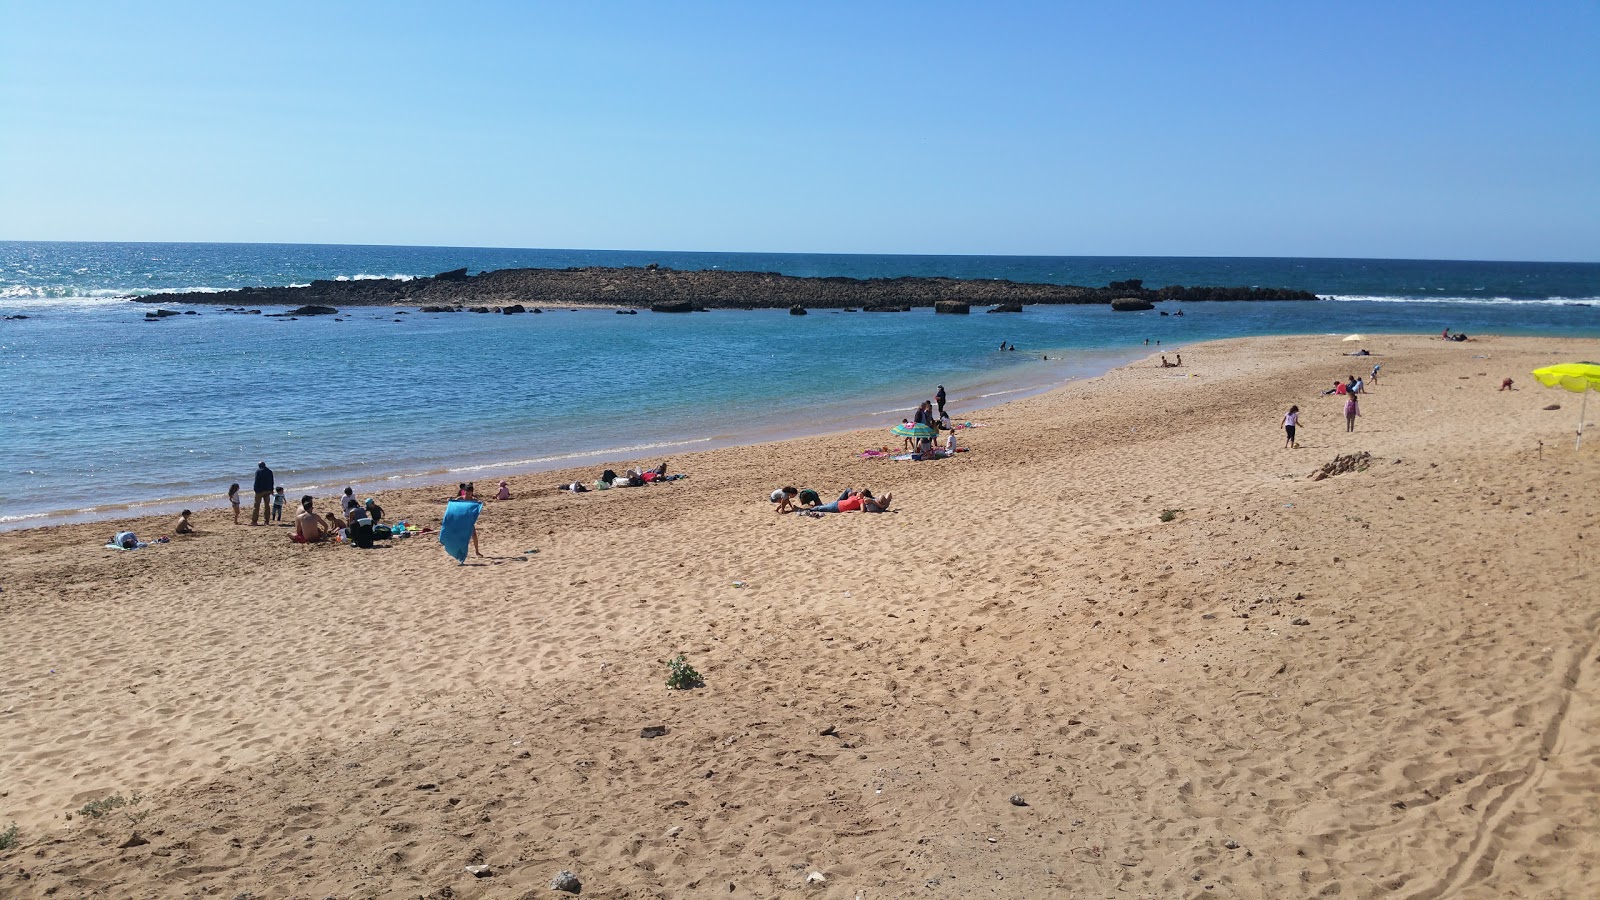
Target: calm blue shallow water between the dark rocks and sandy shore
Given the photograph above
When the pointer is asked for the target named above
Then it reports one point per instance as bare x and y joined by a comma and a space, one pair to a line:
110, 416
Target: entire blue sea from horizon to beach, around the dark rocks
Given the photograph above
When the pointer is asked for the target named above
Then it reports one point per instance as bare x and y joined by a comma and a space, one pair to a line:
108, 416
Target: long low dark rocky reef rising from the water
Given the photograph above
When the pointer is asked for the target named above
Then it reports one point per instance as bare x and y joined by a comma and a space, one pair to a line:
654, 287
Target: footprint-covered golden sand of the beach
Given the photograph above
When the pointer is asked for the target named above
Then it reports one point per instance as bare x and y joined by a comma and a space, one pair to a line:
332, 723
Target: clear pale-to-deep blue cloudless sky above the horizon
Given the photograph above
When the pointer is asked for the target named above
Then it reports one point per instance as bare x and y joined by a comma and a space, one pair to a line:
1441, 131
